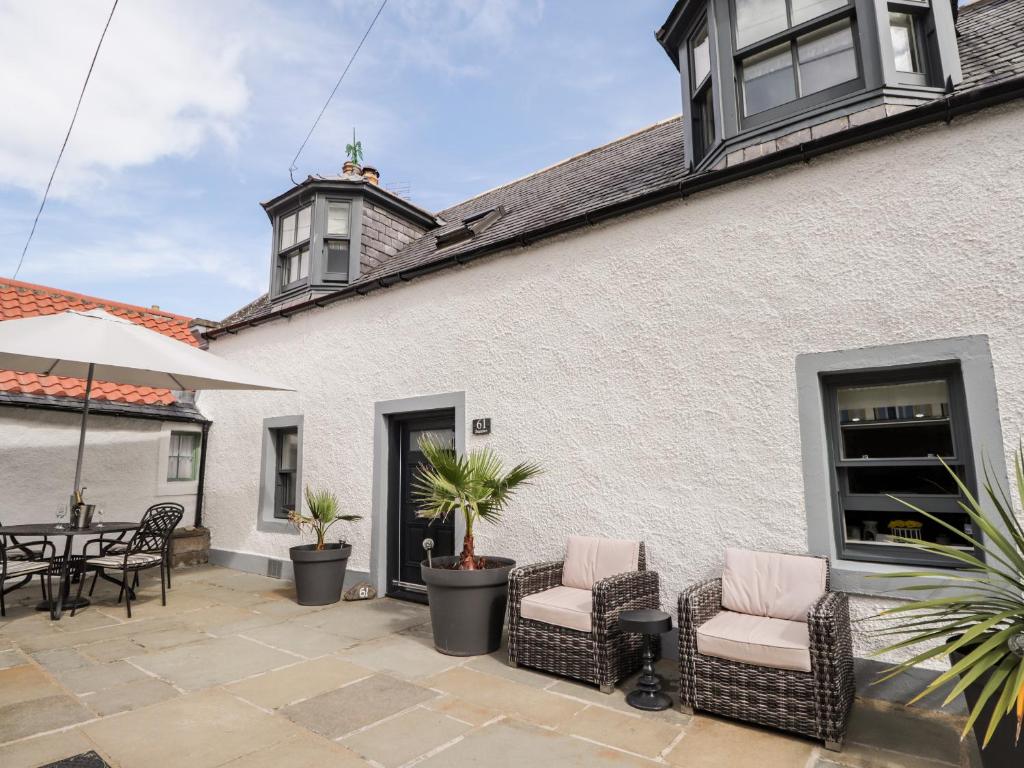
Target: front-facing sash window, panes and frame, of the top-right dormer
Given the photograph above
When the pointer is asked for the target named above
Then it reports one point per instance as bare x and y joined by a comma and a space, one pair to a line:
790, 51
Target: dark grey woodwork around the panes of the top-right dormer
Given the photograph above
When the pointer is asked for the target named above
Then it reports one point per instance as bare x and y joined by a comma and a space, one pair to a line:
878, 81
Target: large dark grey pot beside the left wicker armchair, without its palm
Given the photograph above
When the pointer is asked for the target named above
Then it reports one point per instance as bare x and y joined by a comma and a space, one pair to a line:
467, 608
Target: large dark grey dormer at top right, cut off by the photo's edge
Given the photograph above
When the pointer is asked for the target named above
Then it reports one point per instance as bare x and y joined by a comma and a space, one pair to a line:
760, 76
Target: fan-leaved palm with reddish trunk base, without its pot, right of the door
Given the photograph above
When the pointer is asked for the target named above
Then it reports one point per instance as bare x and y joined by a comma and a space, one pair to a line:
475, 485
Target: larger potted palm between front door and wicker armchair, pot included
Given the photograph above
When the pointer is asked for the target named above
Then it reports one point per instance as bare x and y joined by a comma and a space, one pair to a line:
468, 592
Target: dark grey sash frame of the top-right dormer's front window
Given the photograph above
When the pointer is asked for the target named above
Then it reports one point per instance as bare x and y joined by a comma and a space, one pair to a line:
790, 36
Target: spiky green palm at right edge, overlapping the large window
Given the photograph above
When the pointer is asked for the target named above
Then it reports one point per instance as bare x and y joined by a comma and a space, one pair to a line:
977, 621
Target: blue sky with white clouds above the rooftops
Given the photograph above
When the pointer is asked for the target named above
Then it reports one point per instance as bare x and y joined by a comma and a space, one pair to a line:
196, 109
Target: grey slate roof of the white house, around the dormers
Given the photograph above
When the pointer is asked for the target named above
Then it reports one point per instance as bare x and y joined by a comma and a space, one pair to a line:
992, 47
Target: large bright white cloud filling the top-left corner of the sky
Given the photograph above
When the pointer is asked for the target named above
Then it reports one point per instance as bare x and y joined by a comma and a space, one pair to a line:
168, 79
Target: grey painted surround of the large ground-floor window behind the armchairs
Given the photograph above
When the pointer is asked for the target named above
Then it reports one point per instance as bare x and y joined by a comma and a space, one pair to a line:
974, 357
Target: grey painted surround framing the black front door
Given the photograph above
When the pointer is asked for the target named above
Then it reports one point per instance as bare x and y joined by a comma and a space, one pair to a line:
383, 412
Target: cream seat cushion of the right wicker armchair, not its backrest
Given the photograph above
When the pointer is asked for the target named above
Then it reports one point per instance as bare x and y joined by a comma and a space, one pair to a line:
759, 641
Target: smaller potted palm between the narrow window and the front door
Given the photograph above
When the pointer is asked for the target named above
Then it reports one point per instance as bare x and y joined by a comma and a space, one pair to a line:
320, 568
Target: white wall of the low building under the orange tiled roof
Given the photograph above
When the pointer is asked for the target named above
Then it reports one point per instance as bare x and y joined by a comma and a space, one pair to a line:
124, 468
